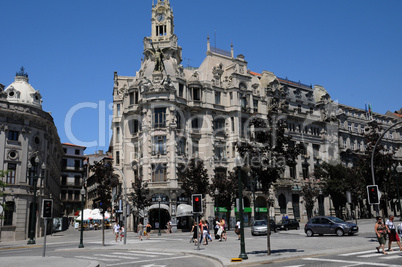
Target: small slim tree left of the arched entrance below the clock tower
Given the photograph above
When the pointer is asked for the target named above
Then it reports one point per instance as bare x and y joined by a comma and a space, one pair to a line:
139, 196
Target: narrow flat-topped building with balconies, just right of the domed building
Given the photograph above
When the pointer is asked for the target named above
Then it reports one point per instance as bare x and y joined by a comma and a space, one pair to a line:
72, 177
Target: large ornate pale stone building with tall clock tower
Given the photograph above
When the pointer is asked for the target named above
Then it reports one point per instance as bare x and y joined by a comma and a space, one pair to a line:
167, 113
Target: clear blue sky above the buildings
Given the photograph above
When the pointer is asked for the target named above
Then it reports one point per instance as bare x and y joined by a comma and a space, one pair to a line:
70, 49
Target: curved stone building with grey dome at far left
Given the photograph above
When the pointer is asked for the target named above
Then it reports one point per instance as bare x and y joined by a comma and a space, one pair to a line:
29, 147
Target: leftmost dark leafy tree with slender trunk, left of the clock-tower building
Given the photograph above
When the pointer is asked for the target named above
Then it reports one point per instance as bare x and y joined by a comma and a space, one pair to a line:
105, 180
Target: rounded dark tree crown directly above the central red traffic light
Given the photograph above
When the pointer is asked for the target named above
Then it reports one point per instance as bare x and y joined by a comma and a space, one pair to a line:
195, 178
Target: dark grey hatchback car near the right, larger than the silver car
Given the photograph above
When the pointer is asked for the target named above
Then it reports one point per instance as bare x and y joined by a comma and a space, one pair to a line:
329, 225
